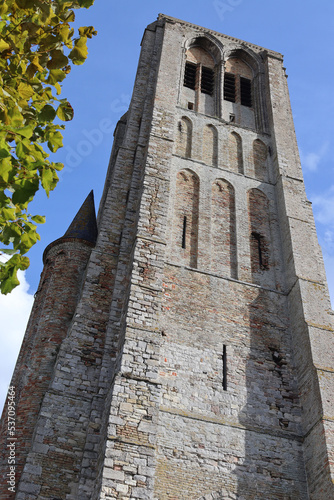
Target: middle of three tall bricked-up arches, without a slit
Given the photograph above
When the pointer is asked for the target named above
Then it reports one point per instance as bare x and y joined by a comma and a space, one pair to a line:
223, 229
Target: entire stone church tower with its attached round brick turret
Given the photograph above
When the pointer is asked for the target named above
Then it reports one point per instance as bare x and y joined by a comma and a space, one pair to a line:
195, 357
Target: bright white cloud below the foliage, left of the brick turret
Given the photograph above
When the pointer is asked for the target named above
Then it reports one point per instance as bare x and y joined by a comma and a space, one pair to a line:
14, 312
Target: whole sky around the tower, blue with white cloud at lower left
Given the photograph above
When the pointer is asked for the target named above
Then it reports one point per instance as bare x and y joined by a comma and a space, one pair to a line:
100, 91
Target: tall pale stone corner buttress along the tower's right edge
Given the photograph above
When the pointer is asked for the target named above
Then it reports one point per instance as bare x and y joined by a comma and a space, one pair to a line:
311, 315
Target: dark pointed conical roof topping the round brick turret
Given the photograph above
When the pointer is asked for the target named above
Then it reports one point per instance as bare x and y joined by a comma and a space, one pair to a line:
84, 224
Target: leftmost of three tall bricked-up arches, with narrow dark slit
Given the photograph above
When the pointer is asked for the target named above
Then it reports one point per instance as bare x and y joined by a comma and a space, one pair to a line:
185, 222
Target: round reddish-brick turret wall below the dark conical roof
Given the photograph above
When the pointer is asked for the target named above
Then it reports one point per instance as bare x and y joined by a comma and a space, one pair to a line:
54, 306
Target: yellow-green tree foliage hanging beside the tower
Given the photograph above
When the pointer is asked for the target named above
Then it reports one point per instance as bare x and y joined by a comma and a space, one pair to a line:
37, 46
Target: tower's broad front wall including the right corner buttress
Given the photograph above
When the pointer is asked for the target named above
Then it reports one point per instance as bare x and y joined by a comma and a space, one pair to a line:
174, 431
